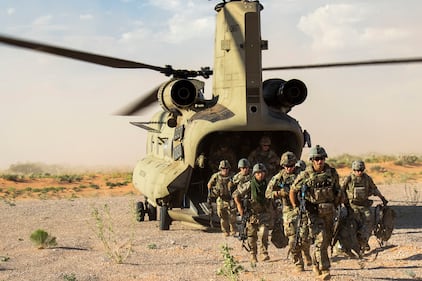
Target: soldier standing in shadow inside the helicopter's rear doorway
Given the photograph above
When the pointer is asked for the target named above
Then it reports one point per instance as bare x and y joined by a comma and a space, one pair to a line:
265, 155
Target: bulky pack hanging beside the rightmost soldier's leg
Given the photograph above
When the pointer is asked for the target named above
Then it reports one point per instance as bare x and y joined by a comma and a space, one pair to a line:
385, 217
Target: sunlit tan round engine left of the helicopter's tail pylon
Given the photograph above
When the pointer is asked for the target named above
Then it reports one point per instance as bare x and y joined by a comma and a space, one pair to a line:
179, 94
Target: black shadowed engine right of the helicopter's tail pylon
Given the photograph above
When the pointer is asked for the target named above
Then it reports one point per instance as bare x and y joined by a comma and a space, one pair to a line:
284, 95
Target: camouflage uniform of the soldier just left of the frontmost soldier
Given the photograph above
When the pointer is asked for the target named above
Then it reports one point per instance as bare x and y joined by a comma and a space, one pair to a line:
279, 187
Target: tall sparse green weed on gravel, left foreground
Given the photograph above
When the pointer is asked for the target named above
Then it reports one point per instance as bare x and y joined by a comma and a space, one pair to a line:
117, 247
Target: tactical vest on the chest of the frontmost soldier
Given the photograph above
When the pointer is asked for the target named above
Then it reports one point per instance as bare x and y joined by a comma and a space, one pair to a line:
321, 187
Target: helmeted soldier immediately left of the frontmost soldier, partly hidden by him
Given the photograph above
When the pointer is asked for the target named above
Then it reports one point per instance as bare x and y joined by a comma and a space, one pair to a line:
278, 188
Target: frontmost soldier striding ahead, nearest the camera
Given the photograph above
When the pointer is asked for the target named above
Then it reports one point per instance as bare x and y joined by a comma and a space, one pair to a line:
320, 186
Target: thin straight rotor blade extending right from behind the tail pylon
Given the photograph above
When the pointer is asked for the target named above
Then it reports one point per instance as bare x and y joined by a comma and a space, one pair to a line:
344, 64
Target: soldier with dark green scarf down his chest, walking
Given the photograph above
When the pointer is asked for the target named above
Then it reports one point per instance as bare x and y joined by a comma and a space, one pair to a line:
259, 206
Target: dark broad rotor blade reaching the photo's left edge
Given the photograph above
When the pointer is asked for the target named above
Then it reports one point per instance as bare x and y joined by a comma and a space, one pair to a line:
78, 55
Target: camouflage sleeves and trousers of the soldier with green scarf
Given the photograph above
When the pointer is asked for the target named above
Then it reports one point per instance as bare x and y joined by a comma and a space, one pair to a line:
259, 223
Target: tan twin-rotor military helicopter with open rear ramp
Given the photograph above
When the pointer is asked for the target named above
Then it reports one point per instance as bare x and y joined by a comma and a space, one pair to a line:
187, 131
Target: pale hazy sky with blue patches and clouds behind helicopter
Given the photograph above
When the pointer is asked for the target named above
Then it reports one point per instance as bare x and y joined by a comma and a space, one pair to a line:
56, 110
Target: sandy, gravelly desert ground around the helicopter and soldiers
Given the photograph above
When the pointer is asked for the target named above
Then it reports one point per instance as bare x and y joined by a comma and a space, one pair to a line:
182, 253
